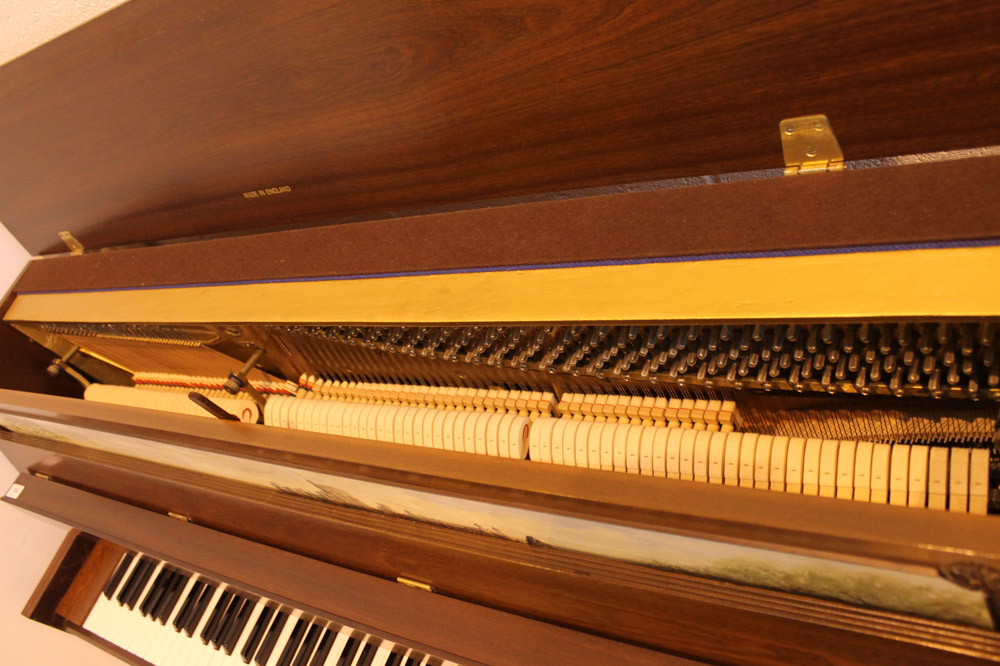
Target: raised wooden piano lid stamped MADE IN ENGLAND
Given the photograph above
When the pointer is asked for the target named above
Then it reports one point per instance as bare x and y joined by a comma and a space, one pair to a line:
151, 121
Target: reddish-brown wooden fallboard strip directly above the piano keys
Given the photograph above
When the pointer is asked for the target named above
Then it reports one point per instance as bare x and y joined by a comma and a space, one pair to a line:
432, 622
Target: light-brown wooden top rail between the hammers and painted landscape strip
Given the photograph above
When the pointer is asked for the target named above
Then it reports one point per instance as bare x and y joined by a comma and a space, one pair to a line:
739, 515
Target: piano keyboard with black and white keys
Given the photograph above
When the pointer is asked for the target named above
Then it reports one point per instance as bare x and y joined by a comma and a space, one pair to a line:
167, 616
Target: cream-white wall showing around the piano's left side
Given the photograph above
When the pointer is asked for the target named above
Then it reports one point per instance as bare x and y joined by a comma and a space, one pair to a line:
29, 542
